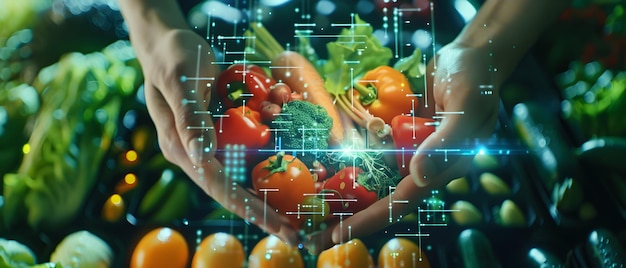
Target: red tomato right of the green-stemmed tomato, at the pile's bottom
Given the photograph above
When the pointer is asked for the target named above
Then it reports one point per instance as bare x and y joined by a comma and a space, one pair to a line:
344, 194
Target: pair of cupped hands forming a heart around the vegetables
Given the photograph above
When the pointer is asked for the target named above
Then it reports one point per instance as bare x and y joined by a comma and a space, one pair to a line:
461, 92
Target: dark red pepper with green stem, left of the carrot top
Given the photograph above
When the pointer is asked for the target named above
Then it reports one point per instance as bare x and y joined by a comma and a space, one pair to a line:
244, 84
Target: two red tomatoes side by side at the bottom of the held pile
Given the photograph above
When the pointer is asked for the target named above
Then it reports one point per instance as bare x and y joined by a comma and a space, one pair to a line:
289, 186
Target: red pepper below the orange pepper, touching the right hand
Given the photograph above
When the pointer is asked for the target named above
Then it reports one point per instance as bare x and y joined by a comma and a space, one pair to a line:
408, 132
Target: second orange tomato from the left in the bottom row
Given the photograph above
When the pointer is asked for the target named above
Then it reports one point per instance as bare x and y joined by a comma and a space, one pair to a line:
219, 250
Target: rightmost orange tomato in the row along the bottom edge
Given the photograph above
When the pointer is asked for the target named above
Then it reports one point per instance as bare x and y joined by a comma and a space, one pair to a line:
402, 252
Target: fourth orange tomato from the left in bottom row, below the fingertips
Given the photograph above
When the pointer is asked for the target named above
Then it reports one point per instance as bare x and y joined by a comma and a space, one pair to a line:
350, 254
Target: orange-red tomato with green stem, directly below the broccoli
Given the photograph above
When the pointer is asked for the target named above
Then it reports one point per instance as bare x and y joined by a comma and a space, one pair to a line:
284, 181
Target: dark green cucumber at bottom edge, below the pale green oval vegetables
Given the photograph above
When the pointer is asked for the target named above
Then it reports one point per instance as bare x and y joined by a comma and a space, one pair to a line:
475, 250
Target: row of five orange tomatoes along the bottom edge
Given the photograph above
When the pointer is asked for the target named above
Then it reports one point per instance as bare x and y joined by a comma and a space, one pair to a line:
167, 247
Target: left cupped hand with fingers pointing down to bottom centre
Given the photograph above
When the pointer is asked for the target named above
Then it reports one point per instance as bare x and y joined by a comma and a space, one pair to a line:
179, 72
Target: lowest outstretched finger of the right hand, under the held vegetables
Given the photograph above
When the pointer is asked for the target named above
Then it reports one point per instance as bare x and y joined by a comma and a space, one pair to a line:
384, 212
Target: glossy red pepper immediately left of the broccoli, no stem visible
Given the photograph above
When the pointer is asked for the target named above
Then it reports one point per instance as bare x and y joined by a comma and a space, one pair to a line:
241, 126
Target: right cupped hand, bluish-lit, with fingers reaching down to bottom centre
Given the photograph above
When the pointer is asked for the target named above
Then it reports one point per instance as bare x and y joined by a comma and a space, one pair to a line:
464, 87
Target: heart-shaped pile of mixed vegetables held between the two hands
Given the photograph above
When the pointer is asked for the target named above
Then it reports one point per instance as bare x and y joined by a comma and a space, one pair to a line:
327, 137
